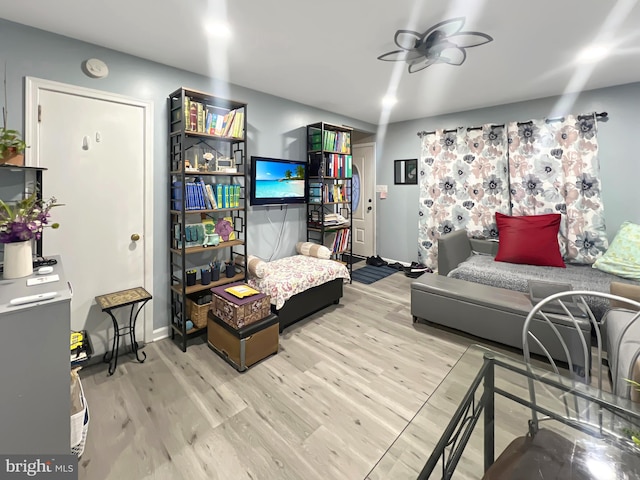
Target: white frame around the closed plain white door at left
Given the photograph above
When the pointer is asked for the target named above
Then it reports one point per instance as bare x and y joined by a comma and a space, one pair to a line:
33, 87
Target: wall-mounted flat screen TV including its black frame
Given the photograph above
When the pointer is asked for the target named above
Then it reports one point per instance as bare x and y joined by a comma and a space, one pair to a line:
277, 182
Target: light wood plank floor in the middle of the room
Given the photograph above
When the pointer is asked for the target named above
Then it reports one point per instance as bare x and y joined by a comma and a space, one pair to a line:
345, 383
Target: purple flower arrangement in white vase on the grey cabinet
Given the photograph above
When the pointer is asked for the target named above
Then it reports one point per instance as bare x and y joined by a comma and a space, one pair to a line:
20, 224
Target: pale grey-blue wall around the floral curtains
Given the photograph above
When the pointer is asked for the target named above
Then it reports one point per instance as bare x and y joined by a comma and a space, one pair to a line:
397, 216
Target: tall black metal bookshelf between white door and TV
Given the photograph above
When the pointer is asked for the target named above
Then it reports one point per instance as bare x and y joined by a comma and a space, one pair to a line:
207, 145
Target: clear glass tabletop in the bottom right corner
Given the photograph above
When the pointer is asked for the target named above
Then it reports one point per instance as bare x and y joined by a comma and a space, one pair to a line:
494, 417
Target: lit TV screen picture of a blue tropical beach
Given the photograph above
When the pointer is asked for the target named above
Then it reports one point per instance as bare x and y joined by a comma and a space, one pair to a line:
279, 180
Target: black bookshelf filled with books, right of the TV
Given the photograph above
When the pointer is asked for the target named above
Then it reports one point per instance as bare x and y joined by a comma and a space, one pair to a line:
329, 188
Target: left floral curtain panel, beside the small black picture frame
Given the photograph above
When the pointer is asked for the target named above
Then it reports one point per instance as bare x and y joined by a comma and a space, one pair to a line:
463, 182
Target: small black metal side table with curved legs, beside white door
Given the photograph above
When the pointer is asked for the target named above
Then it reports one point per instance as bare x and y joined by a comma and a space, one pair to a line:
112, 301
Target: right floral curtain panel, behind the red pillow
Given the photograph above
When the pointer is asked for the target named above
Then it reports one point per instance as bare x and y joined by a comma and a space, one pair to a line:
554, 168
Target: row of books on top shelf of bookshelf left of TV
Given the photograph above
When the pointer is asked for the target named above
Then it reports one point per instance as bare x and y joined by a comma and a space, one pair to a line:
202, 118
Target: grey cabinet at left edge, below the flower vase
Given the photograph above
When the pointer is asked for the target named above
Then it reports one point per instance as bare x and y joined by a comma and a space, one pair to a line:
34, 368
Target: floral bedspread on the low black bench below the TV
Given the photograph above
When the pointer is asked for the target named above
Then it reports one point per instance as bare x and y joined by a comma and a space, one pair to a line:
289, 276
